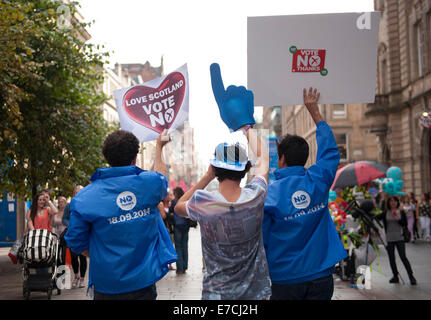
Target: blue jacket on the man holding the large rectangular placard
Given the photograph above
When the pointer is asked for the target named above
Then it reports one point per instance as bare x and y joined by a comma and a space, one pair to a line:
300, 239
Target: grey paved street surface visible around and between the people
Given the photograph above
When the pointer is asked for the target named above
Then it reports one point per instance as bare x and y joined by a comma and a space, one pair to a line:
189, 285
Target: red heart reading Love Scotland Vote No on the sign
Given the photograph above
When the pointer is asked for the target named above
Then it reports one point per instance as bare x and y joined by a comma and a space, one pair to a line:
156, 108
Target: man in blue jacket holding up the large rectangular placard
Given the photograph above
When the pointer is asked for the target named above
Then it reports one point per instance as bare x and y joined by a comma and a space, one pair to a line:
301, 242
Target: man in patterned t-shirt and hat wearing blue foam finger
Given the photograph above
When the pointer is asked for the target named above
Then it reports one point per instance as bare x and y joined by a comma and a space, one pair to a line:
231, 218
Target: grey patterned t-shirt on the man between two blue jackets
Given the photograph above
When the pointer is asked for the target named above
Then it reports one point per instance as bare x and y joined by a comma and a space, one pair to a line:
232, 243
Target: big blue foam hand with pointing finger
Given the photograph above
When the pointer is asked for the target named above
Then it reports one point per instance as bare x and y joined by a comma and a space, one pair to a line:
236, 104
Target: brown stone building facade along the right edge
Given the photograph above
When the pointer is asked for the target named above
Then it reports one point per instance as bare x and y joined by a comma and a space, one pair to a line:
403, 90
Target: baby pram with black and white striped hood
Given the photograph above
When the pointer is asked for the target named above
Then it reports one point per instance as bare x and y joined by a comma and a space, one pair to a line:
40, 252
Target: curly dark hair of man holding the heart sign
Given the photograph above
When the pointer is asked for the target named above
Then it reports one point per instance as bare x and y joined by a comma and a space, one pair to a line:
120, 148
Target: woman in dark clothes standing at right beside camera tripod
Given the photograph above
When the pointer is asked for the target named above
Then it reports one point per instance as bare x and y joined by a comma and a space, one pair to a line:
394, 219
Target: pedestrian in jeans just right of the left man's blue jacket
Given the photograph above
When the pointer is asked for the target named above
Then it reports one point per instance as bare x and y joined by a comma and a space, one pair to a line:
181, 234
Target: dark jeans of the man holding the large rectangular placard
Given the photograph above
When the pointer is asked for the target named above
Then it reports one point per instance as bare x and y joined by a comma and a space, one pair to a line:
319, 289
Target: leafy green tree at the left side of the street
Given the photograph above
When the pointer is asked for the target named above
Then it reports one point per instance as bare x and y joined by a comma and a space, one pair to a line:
52, 127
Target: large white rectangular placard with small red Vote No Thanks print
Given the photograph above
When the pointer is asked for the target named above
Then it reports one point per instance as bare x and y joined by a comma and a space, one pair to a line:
335, 53
